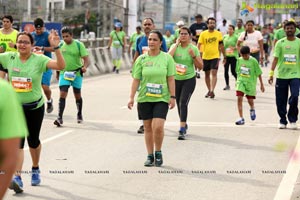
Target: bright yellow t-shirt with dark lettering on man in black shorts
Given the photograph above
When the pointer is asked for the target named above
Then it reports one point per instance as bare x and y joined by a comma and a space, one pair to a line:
210, 44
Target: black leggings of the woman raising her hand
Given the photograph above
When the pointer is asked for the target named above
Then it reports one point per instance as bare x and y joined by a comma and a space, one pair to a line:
34, 119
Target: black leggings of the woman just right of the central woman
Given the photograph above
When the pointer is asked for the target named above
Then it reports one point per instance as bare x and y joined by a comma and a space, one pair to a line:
184, 90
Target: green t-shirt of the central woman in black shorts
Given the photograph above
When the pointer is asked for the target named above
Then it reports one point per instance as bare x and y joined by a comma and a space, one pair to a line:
153, 71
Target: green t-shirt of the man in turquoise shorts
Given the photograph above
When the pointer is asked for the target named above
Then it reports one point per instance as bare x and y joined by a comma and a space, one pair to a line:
72, 54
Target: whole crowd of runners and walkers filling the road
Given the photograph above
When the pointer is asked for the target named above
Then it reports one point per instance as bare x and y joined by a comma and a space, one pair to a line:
164, 72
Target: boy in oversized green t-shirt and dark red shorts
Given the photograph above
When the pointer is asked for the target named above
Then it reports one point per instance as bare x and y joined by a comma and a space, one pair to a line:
247, 72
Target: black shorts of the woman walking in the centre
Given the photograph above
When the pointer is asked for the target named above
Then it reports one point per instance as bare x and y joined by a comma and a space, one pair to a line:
150, 110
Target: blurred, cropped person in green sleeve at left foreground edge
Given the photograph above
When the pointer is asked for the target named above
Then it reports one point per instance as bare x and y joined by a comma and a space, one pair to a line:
10, 133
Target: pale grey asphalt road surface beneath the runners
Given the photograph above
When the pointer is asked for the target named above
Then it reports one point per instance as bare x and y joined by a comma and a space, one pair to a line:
103, 157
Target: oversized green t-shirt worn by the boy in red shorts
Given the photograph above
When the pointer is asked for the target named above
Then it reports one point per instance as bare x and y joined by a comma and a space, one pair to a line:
247, 72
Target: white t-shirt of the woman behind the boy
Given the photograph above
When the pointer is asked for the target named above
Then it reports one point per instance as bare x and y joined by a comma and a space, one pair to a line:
251, 40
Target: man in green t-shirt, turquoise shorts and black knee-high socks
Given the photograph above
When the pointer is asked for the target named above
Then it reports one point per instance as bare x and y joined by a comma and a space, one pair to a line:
73, 52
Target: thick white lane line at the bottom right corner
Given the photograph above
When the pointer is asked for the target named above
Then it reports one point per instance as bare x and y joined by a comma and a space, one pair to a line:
286, 187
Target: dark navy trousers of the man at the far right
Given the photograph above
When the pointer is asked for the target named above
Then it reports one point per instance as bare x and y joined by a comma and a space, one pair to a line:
282, 92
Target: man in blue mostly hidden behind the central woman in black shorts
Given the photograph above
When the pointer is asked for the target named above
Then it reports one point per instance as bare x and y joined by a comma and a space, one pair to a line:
142, 48
